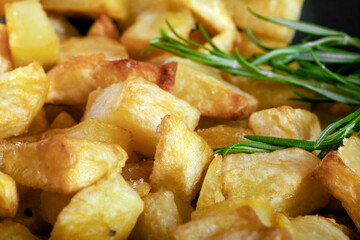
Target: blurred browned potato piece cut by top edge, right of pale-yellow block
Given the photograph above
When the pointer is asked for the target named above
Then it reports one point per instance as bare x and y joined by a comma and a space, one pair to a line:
93, 8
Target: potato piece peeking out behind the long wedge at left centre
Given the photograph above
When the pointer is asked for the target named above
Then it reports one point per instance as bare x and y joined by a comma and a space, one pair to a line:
95, 130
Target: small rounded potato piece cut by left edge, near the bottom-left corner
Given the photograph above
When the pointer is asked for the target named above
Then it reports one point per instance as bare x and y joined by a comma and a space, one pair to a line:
9, 198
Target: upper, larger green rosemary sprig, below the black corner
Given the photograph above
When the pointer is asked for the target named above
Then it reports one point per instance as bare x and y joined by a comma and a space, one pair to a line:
317, 78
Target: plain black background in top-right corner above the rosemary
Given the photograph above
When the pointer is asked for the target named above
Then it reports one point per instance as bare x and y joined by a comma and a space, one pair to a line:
342, 15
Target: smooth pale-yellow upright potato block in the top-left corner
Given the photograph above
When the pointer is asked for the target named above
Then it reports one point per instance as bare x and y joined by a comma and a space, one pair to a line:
31, 36
